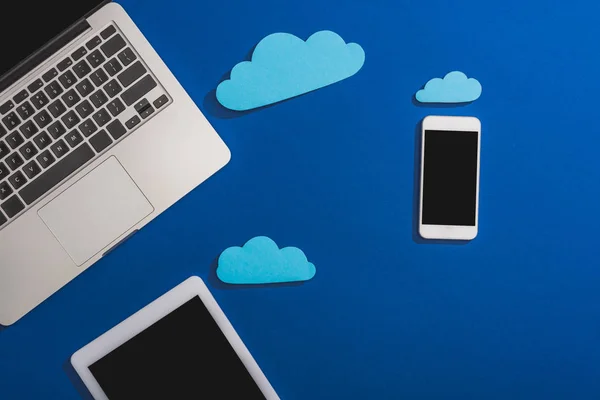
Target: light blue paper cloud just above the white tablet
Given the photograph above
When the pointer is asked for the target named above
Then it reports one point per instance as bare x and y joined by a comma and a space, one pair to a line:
261, 261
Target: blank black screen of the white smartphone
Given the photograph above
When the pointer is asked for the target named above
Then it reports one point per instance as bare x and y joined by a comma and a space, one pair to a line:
450, 178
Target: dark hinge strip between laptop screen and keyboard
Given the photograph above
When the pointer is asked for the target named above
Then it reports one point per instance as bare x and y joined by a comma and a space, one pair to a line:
52, 47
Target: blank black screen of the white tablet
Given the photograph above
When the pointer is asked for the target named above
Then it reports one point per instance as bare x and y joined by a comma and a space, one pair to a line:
183, 356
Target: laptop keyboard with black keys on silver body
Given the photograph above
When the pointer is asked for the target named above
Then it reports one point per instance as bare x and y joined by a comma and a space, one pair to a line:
73, 111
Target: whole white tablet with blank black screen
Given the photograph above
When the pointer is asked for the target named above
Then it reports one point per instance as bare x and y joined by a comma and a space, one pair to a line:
180, 346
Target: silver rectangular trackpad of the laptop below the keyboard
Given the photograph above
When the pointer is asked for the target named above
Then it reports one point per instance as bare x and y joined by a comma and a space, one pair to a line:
95, 211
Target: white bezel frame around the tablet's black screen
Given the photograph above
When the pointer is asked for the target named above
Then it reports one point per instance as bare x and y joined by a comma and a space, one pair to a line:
153, 312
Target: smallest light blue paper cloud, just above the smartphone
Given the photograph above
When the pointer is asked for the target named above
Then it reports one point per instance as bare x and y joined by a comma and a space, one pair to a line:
454, 88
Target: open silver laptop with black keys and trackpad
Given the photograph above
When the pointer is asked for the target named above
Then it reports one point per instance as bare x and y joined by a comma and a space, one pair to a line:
97, 138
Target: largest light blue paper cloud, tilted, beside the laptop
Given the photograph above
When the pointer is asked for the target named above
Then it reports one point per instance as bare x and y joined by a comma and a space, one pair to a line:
284, 66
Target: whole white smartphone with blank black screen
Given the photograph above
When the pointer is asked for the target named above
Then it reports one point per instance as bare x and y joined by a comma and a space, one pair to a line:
450, 159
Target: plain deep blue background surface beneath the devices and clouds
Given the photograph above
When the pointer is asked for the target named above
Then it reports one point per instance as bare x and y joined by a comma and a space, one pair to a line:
512, 315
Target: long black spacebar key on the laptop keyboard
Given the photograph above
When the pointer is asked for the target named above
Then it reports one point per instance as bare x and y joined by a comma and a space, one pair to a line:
49, 179
